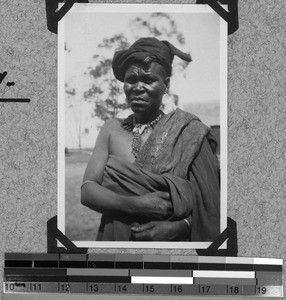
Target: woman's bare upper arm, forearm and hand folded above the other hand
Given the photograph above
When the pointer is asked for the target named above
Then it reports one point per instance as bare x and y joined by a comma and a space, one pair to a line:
103, 200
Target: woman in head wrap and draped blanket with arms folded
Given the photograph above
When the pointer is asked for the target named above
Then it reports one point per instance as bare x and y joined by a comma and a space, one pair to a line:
152, 176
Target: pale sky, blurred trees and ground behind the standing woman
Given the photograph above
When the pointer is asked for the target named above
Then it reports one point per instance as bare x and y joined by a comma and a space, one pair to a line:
93, 95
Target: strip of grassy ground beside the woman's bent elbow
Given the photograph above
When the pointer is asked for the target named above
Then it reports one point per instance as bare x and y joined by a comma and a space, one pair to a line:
81, 222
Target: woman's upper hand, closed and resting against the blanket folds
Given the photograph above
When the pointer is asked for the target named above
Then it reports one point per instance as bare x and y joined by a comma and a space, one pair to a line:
155, 206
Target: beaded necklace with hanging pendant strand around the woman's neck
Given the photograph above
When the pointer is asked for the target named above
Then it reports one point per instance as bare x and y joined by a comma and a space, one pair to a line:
138, 129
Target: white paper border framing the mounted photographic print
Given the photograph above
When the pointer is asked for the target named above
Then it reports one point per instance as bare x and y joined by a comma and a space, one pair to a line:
139, 8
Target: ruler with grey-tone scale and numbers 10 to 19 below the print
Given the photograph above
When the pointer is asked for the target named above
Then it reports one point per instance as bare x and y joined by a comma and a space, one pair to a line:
142, 275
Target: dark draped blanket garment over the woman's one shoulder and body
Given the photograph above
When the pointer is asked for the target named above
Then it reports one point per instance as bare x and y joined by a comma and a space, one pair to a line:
177, 157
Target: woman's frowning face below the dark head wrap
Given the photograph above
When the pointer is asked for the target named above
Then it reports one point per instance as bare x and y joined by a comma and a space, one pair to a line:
144, 87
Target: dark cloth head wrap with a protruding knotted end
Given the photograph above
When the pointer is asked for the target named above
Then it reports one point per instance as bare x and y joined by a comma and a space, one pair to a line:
145, 51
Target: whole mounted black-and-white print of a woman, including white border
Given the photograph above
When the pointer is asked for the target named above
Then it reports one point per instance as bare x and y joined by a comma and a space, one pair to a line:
142, 125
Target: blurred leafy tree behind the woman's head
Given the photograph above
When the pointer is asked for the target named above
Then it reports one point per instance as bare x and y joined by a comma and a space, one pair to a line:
106, 92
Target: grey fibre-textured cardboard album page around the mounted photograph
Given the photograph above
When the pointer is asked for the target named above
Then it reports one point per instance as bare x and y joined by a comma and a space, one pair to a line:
256, 140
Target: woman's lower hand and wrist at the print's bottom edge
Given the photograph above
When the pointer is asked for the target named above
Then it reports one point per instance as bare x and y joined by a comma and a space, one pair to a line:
160, 231
